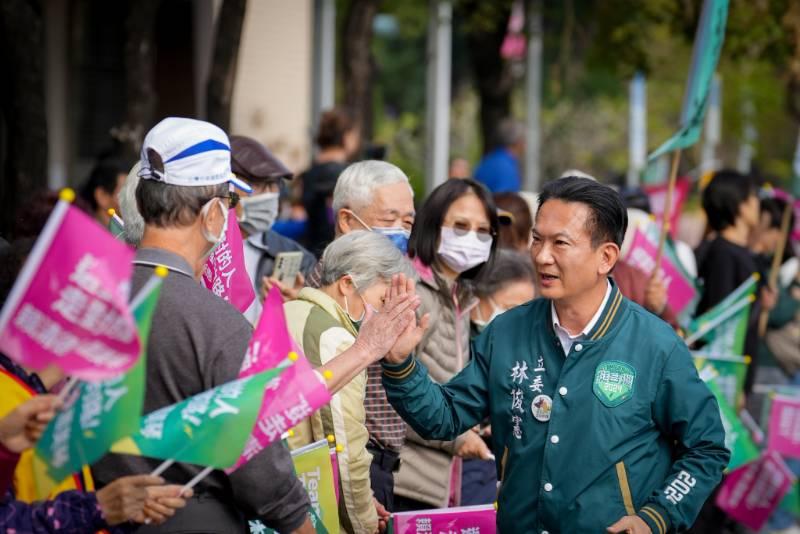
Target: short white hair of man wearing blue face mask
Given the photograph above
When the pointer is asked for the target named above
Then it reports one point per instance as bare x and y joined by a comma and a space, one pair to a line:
358, 182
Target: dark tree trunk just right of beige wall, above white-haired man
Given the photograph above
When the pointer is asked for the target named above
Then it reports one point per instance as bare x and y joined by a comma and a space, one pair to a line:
357, 59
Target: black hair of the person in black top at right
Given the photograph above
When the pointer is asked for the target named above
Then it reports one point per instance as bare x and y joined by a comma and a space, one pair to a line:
724, 196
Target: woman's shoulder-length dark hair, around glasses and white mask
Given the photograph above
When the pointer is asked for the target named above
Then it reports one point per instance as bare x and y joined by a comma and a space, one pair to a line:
424, 240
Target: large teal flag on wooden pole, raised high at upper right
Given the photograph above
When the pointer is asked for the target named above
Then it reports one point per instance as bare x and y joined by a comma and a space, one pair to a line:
705, 55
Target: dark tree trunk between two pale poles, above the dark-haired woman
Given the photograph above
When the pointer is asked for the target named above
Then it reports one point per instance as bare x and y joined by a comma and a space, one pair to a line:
492, 75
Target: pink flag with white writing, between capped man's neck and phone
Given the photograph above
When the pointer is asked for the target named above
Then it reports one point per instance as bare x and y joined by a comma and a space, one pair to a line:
225, 274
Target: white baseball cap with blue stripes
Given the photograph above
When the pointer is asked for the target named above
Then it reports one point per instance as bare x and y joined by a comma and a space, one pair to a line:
188, 152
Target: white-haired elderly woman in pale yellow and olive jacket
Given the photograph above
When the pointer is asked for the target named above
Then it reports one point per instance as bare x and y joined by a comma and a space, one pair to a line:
357, 269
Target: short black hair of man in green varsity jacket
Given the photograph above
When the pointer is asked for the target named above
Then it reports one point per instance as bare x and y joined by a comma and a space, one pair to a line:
608, 218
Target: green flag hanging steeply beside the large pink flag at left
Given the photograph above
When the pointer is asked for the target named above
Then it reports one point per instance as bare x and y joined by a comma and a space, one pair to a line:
102, 412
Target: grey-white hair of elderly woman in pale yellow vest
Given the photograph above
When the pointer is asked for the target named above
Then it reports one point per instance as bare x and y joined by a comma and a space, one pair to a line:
367, 257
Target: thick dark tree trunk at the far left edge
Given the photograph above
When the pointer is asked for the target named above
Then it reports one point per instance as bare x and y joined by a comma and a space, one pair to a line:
23, 124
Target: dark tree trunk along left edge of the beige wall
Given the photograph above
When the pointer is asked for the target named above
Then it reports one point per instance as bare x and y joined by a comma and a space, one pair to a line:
223, 66
